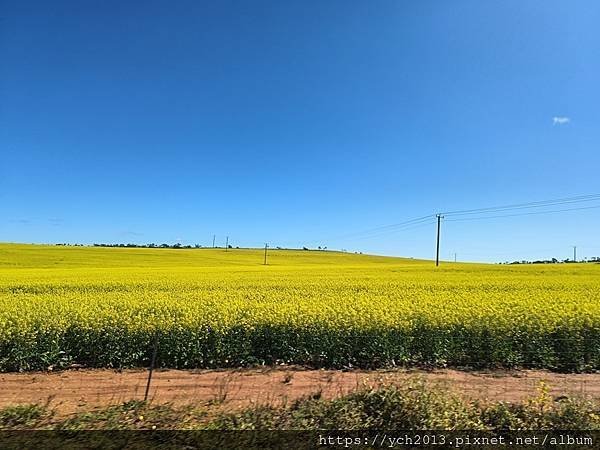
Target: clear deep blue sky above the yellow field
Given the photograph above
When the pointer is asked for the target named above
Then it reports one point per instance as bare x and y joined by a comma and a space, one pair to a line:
294, 122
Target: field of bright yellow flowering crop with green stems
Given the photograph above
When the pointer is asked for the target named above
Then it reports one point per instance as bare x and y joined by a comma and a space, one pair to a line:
103, 307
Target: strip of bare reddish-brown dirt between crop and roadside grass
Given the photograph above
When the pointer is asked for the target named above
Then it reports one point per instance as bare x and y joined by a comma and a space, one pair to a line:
81, 390
